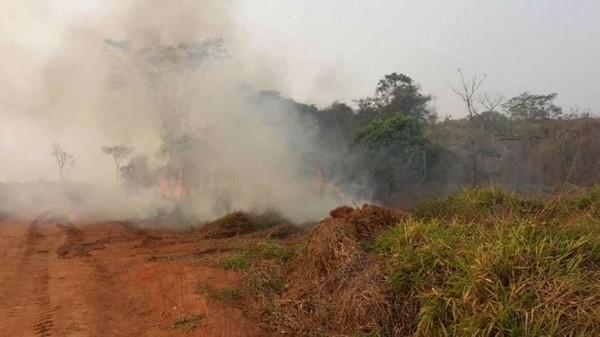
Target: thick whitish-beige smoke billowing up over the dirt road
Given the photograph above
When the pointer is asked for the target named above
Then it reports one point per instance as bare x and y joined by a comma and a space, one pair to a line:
64, 83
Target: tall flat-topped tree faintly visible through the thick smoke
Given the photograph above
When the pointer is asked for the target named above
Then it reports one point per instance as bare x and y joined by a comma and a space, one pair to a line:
170, 76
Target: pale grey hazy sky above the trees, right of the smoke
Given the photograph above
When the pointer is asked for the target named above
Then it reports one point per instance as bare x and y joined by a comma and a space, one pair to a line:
339, 49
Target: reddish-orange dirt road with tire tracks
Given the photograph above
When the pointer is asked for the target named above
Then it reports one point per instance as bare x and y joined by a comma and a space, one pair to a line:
58, 278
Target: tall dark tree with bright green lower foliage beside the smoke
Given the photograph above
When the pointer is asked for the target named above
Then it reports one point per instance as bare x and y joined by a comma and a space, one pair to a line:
387, 137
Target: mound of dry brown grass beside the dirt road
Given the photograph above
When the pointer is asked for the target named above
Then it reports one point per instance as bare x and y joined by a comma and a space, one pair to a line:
333, 282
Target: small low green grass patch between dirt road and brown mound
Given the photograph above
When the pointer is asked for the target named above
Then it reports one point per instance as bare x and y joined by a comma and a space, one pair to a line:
261, 251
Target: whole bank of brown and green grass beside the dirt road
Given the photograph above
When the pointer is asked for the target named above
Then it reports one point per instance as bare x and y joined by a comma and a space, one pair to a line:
482, 263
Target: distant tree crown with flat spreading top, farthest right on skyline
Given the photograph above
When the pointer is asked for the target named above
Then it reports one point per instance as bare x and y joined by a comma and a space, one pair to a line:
533, 107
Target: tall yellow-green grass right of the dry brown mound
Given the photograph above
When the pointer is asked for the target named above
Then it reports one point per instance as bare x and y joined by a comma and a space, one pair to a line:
516, 277
